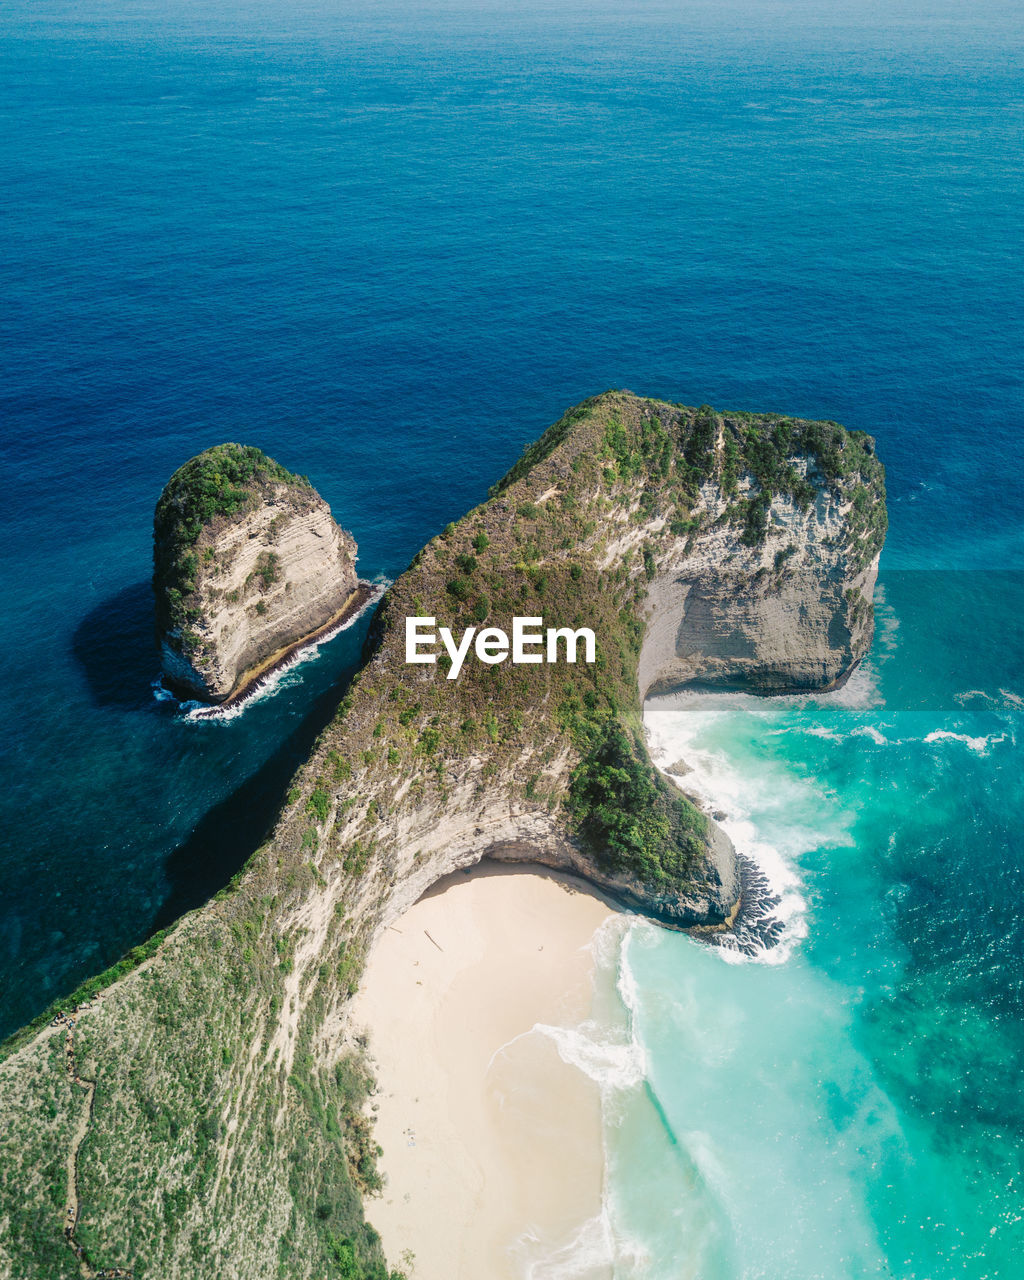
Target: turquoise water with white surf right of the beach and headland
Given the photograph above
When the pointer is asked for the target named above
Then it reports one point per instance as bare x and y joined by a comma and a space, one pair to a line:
849, 1104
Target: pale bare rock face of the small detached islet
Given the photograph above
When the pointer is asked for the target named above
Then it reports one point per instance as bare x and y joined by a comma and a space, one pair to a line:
266, 580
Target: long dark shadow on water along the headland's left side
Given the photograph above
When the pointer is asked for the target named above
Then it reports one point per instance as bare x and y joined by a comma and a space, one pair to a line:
226, 838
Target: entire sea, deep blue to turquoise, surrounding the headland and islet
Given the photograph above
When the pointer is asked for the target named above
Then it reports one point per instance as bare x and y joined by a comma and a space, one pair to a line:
390, 244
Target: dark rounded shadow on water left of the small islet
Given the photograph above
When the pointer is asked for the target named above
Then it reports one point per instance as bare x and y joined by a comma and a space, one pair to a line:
116, 647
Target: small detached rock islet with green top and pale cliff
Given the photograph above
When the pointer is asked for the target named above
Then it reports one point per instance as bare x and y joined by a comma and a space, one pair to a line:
248, 561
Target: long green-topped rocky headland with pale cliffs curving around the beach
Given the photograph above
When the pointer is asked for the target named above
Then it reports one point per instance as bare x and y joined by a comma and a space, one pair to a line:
207, 1114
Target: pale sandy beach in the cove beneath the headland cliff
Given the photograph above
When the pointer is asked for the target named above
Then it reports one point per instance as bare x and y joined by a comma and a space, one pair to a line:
493, 1154
